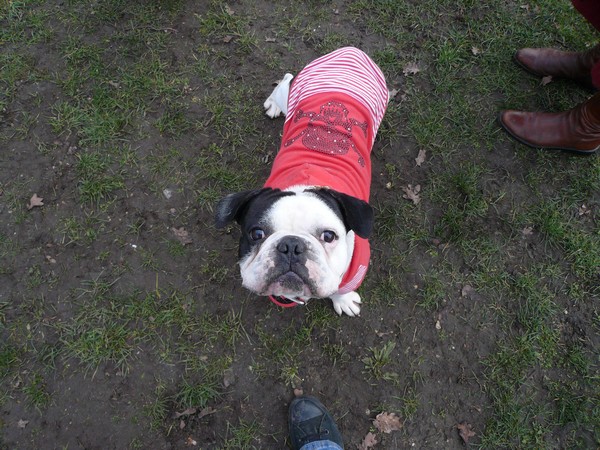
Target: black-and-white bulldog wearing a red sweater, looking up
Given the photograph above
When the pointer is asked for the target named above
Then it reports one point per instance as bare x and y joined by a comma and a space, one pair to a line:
304, 234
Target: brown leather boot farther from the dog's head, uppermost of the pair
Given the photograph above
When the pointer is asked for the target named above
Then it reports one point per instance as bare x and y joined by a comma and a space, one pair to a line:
576, 66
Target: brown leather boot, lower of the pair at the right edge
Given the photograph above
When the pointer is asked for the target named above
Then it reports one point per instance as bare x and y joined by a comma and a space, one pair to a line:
576, 130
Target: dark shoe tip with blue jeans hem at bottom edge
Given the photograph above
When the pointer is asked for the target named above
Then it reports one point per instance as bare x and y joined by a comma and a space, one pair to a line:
311, 426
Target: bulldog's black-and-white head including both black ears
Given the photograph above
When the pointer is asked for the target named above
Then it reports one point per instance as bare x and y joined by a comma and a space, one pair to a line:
295, 243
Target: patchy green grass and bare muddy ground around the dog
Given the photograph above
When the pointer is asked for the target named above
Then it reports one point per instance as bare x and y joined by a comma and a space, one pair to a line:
492, 278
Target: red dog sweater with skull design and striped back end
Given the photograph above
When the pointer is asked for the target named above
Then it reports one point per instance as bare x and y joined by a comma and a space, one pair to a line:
335, 107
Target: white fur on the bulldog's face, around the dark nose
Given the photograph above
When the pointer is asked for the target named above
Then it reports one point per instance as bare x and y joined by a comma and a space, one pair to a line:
307, 218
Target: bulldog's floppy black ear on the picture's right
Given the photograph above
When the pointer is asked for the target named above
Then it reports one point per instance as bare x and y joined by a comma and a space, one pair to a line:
356, 213
